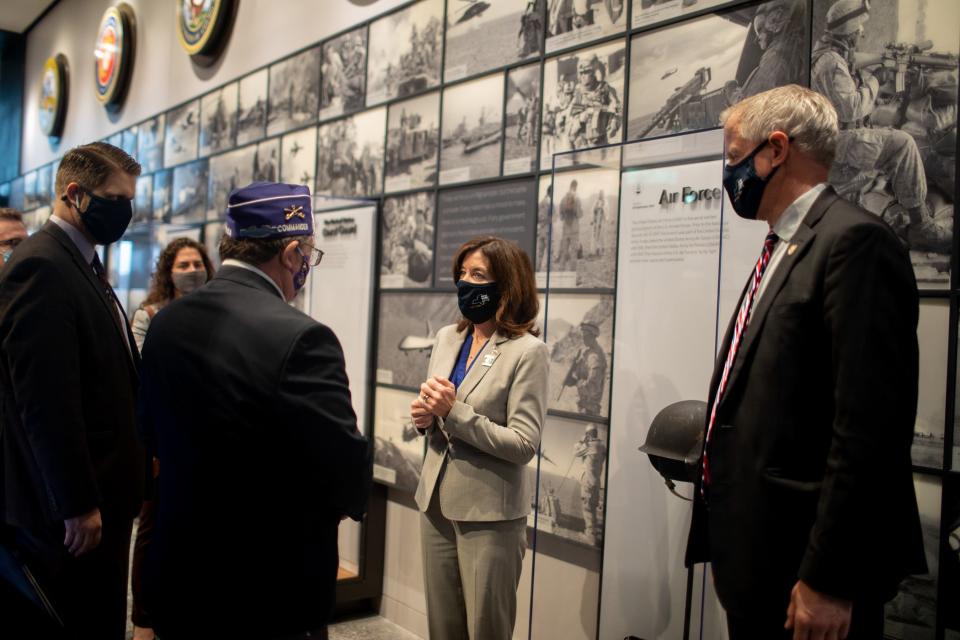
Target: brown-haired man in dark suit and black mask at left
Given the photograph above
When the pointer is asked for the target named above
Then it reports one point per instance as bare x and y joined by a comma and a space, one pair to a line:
71, 469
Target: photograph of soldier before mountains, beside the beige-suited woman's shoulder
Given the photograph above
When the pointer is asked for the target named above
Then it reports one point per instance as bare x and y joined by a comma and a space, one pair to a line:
580, 338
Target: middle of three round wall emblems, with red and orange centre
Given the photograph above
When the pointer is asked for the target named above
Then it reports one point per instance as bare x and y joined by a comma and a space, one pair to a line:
113, 54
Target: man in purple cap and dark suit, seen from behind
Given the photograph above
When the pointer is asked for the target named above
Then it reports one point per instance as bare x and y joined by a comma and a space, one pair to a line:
247, 403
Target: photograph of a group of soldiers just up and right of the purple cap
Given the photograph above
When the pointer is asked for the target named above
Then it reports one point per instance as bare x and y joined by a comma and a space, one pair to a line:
350, 154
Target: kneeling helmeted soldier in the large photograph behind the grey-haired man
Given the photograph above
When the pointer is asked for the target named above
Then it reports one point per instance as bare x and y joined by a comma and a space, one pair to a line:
862, 149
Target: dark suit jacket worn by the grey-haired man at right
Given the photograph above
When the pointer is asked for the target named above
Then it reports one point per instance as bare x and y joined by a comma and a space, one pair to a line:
810, 454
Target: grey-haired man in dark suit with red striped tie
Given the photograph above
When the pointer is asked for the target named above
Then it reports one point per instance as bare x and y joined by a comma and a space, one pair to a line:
806, 507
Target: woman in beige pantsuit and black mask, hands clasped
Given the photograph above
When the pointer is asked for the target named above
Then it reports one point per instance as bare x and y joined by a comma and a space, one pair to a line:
482, 409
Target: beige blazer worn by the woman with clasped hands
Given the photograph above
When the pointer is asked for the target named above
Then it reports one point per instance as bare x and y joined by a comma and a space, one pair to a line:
493, 430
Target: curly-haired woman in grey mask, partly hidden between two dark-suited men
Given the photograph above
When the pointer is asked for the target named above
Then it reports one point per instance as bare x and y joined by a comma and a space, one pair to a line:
183, 267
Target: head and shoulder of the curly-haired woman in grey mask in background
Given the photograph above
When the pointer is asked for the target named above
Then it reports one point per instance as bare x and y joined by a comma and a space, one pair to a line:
182, 268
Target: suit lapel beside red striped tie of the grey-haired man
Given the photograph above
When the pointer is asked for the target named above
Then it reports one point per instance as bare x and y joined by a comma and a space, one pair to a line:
802, 239
